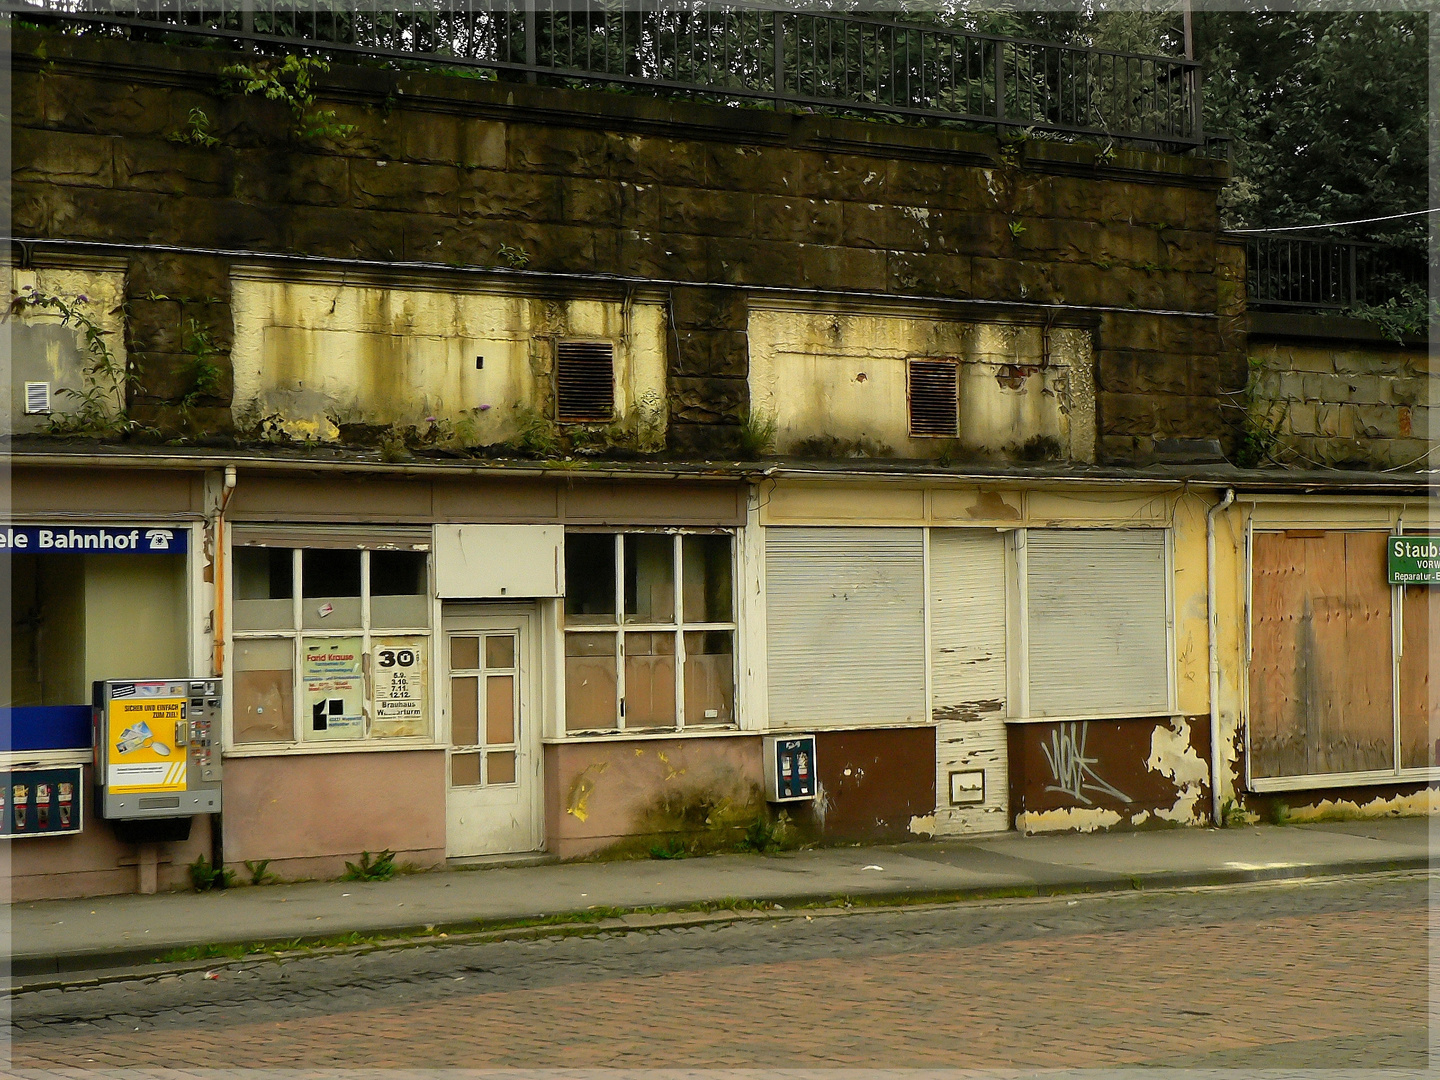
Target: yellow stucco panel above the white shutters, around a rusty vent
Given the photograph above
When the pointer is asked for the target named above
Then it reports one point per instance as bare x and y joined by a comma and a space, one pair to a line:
843, 377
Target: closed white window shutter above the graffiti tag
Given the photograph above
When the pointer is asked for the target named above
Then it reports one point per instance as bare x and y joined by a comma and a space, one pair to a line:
1098, 621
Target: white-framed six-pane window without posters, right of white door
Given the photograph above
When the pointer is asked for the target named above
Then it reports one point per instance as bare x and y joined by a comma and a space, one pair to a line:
663, 662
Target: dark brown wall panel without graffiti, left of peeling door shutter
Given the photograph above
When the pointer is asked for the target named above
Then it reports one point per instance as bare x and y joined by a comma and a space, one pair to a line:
875, 784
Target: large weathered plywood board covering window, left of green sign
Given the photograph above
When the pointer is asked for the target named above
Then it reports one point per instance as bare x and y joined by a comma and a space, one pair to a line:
1321, 660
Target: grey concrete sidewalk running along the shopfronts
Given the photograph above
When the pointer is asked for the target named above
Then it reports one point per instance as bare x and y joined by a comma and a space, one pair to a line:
58, 937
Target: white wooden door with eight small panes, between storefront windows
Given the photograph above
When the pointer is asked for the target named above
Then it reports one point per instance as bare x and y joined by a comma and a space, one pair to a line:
493, 765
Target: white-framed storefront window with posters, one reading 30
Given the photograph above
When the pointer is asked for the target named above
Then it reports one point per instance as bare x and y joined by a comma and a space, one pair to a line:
332, 646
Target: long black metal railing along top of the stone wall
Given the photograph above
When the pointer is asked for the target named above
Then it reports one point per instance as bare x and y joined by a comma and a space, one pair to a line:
728, 51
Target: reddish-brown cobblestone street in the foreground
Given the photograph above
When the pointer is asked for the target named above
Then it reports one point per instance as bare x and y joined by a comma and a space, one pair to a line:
1287, 976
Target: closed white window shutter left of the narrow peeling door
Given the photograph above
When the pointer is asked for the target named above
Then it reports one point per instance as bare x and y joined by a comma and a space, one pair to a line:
846, 626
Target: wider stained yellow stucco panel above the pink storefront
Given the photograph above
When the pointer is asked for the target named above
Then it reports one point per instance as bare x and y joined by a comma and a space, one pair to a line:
328, 352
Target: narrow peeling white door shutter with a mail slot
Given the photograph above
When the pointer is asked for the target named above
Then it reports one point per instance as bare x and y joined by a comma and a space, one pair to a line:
968, 675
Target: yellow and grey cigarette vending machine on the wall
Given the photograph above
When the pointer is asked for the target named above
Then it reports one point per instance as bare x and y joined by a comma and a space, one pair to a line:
158, 748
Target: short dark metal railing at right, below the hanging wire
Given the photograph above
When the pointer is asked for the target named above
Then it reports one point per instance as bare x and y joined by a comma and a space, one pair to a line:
1317, 274
